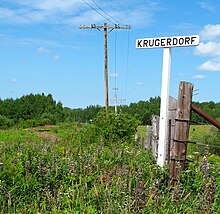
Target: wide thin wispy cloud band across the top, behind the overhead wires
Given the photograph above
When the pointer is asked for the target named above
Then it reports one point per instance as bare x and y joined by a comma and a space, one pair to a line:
75, 12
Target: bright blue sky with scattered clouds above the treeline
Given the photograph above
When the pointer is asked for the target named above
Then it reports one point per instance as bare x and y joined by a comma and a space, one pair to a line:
43, 50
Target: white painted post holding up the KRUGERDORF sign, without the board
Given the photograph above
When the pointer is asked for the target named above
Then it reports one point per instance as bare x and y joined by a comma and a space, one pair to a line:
165, 90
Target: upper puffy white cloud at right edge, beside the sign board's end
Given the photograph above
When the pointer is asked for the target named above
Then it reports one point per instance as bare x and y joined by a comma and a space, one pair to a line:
210, 32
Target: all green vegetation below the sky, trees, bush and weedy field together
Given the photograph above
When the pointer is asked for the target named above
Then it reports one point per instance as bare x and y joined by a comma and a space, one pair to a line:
59, 160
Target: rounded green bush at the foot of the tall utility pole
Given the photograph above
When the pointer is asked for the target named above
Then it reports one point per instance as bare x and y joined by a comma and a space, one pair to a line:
116, 128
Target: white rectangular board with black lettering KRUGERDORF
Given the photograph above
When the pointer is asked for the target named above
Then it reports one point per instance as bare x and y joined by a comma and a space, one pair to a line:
168, 42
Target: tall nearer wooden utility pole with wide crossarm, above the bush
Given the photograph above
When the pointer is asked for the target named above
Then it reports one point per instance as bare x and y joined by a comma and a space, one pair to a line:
105, 28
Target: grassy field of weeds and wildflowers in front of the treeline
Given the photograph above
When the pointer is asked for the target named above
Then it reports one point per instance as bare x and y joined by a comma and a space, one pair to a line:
65, 169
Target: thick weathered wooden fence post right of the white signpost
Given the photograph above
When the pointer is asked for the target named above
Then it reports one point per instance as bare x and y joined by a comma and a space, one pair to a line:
181, 132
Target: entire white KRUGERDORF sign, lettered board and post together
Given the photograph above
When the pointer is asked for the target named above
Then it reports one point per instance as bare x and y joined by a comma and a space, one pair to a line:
166, 43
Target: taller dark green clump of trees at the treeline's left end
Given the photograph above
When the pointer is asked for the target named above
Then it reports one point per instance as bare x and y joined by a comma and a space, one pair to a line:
31, 108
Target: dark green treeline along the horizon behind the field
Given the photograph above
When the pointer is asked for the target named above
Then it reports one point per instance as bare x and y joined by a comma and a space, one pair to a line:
33, 110
